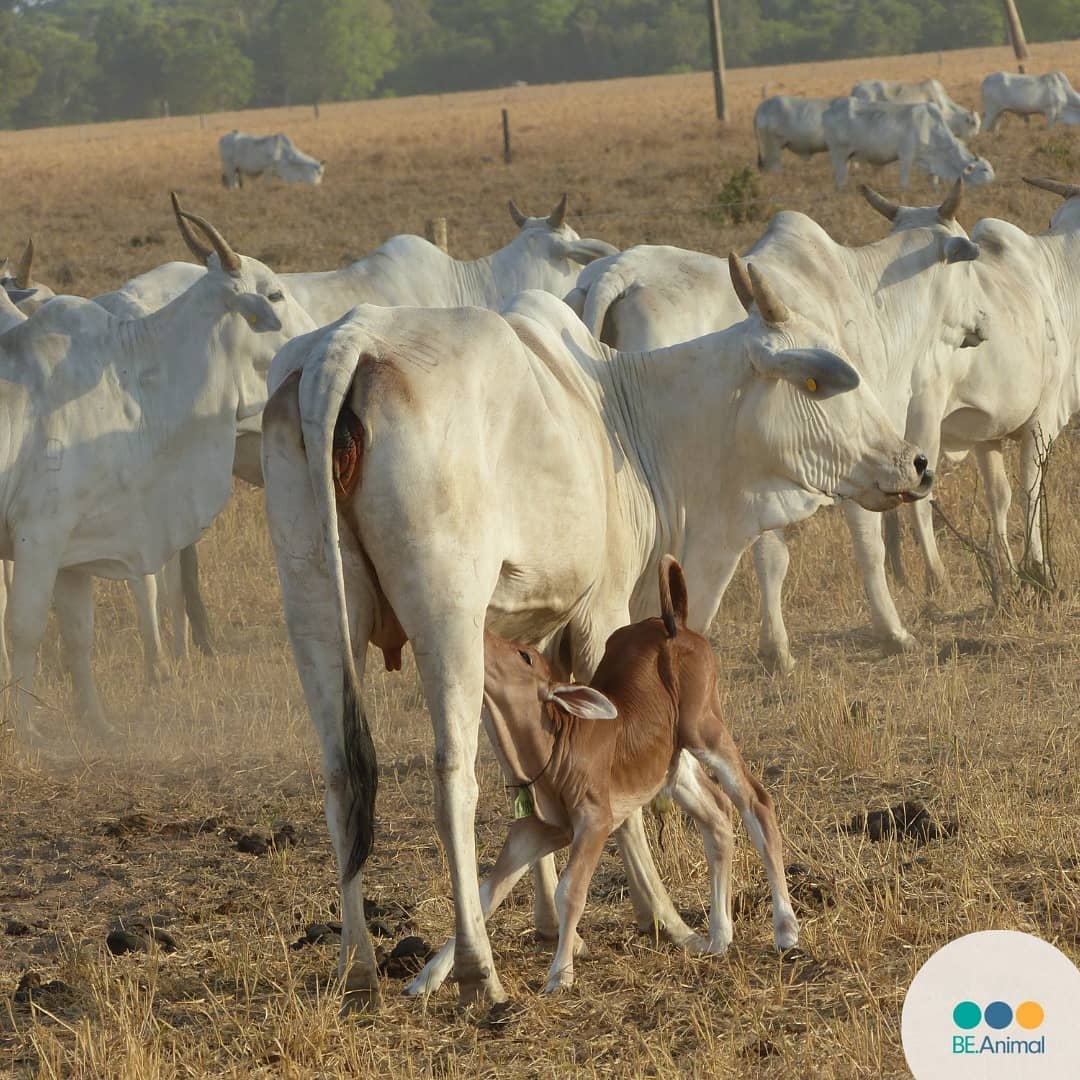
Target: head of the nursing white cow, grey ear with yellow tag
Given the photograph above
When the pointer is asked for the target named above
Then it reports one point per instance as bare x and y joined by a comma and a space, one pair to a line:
805, 416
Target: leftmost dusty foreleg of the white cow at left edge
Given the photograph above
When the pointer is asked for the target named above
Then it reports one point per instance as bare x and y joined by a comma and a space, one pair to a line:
32, 591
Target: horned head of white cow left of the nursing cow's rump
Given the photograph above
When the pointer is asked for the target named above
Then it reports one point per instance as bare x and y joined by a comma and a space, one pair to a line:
268, 317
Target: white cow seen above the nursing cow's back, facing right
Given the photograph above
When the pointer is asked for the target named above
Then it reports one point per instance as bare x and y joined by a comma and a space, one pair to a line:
546, 254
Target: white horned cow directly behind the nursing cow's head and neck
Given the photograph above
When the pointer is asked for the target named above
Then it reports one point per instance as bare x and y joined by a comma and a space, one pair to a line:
649, 298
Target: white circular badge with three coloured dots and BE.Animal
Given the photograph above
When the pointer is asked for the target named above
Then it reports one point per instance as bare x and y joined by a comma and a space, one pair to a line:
993, 1005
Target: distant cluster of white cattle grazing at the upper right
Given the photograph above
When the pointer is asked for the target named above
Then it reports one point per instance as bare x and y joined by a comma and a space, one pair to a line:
914, 124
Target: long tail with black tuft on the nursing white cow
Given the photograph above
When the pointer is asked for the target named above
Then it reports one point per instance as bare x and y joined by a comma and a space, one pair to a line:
325, 391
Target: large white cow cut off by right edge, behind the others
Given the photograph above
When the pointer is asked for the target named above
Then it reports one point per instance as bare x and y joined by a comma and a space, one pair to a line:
1025, 385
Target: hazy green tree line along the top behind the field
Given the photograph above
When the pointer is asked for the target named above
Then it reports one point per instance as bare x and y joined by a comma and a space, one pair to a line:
79, 61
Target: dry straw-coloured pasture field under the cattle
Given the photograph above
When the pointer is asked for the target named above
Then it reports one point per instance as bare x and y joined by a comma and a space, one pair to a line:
980, 724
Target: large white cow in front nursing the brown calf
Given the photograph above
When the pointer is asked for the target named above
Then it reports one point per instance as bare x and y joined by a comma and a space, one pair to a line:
430, 472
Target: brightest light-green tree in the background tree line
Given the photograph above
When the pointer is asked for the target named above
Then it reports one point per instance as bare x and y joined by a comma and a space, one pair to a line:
335, 50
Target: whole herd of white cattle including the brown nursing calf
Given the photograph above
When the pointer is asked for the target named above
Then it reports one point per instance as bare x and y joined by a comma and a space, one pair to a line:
493, 461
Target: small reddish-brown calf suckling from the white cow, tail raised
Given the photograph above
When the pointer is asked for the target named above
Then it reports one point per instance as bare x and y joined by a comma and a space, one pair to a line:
591, 755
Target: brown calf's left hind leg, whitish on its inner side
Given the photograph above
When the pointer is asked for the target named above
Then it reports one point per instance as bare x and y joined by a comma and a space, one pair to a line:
712, 812
